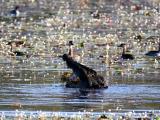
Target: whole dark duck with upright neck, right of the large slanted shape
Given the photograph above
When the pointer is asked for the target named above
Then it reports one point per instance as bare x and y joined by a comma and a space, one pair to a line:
125, 56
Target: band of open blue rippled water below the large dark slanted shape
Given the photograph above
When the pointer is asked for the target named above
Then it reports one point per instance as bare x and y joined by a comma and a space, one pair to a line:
49, 95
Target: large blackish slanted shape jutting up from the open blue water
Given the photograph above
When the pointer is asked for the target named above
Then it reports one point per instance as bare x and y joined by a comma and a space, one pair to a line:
88, 78
